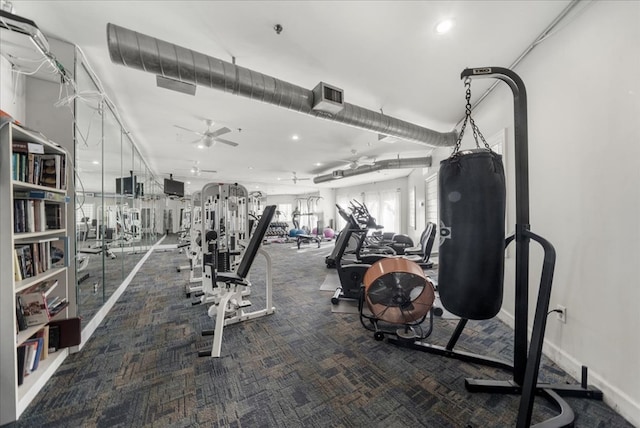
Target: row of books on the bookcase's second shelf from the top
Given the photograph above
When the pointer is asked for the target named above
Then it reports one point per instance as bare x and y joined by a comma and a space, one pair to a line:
36, 215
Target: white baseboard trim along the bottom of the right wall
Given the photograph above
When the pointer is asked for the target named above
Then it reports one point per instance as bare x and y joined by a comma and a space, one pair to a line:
619, 401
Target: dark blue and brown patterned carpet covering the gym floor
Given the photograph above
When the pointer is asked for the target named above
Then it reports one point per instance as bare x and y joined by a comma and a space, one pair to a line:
302, 366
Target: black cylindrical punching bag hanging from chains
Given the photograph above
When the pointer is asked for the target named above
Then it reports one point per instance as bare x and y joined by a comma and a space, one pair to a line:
472, 238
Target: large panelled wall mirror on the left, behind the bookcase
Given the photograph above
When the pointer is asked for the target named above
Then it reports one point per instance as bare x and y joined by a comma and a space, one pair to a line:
116, 209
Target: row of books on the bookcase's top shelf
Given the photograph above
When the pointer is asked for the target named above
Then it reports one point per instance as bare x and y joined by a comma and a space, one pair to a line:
32, 165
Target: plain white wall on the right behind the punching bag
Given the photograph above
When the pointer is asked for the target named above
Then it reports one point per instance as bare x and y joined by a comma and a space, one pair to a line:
584, 160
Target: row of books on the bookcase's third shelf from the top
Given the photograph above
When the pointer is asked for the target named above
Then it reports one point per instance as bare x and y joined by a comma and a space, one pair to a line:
38, 257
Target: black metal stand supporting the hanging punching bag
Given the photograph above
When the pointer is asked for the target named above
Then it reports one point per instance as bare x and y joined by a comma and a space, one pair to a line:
525, 368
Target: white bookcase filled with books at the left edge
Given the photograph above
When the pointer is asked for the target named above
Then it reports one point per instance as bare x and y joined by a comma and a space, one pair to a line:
34, 220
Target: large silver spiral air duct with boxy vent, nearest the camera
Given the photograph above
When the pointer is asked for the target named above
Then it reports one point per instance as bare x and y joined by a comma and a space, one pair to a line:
135, 50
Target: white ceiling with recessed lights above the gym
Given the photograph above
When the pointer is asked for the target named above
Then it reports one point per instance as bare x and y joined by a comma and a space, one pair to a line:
385, 55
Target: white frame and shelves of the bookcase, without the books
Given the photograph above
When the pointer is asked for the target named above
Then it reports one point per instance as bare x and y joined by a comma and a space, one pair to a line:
15, 398
